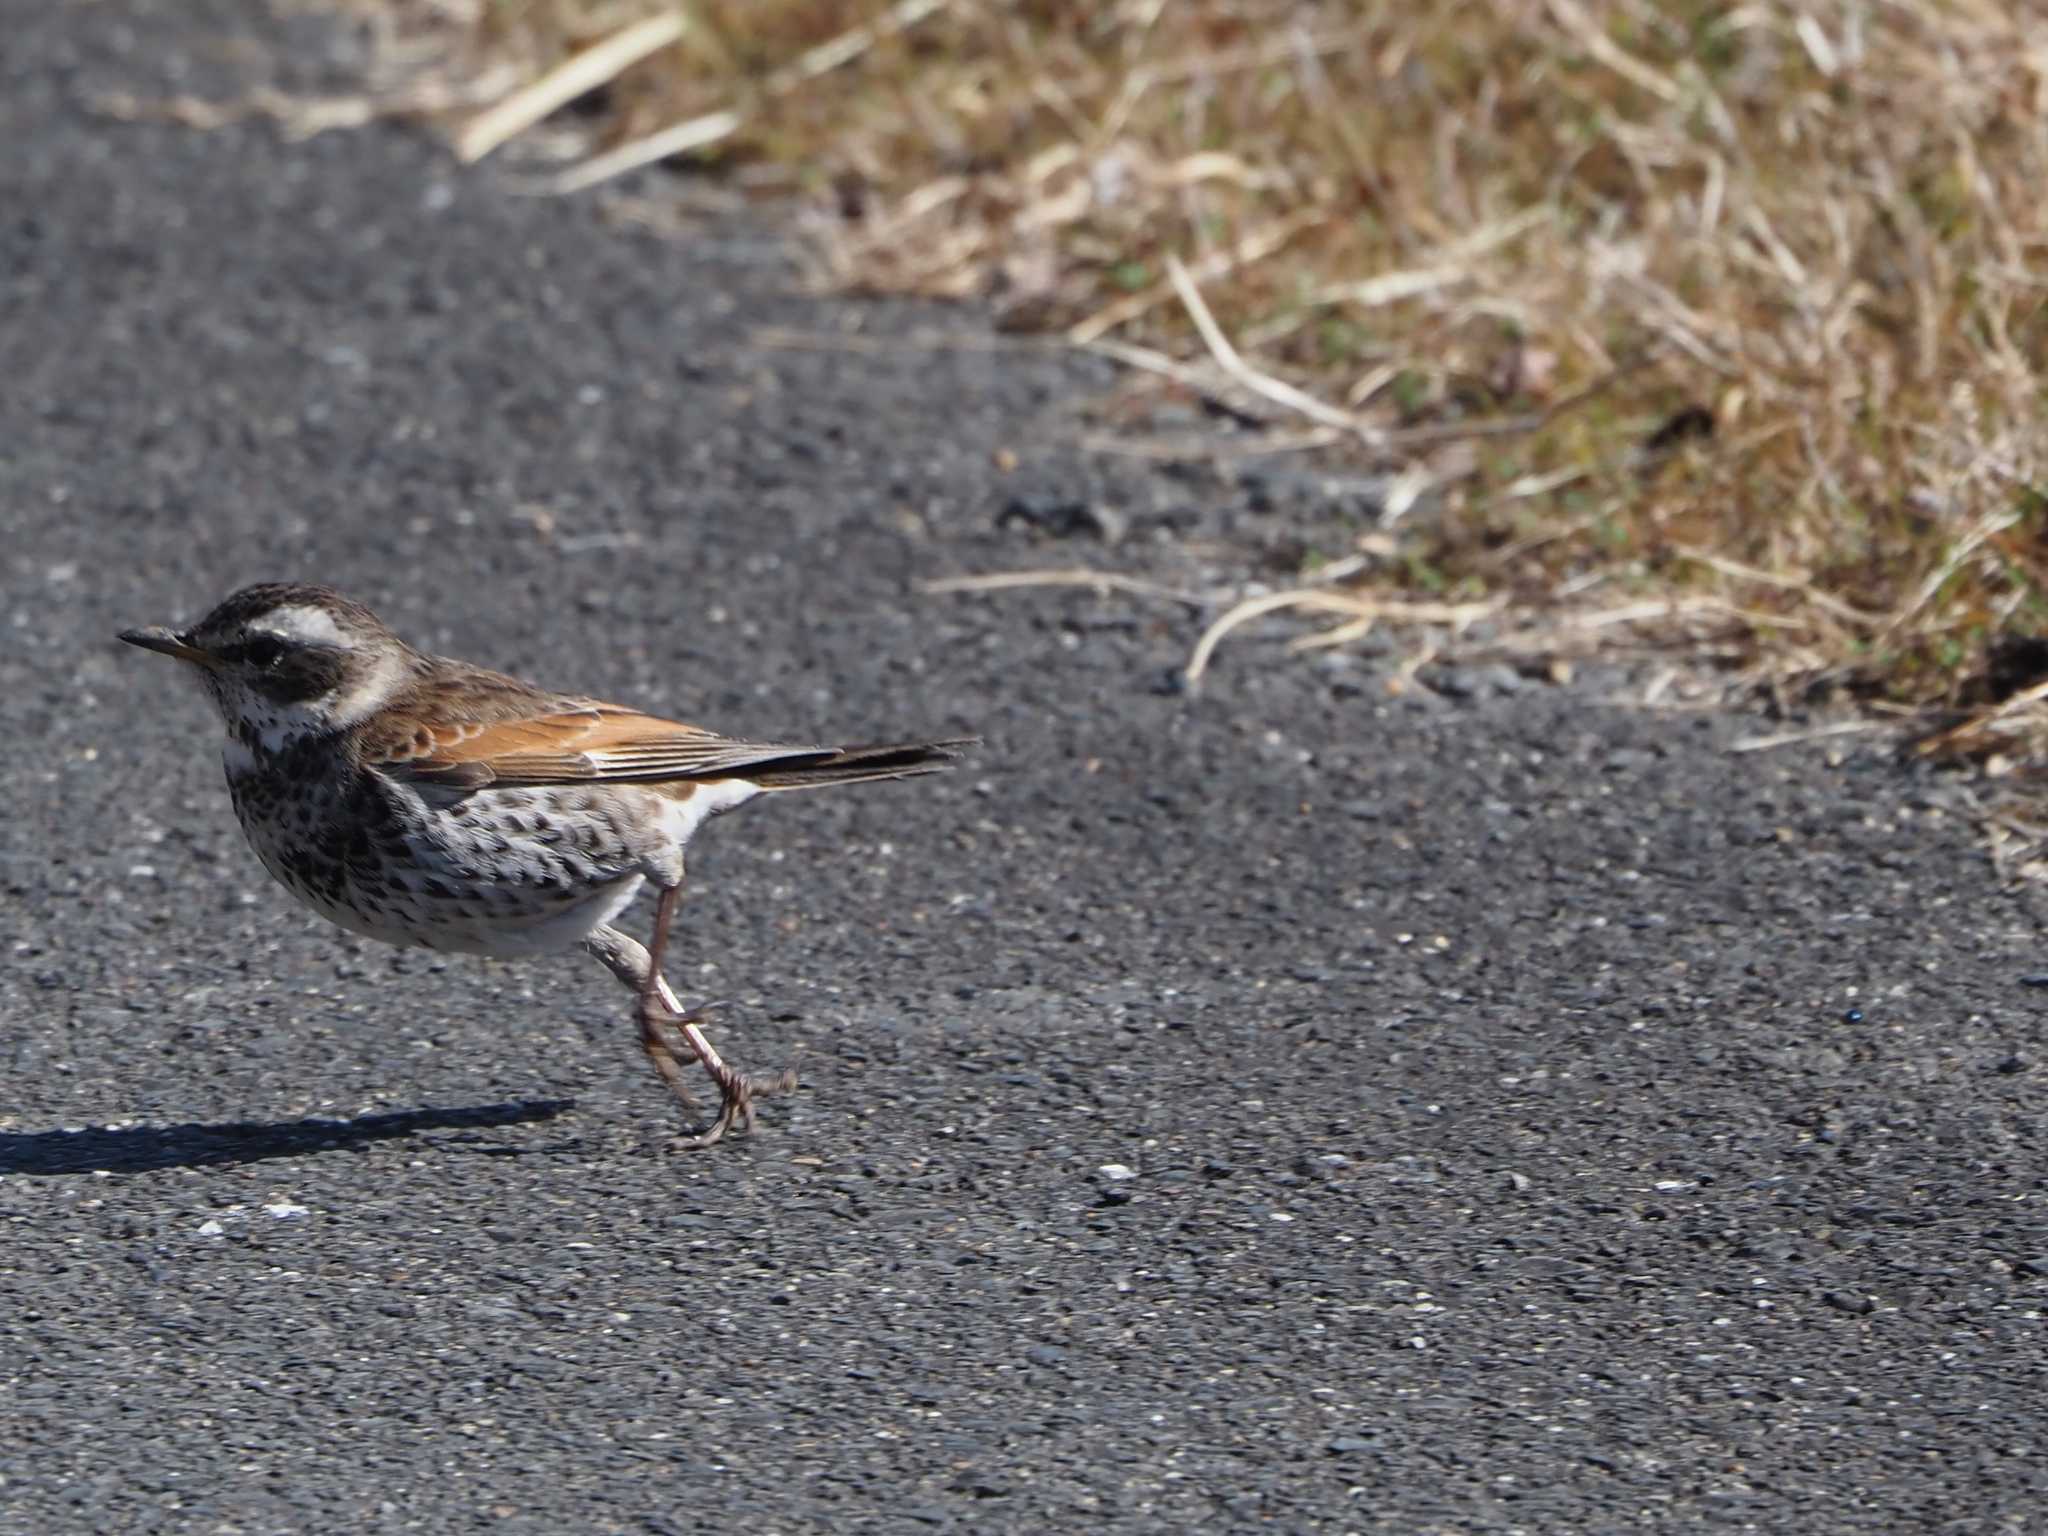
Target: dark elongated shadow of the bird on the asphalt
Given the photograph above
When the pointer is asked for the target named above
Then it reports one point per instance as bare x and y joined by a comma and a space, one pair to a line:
140, 1150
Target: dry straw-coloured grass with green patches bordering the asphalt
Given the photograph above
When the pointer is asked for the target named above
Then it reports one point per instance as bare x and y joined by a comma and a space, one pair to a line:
1736, 308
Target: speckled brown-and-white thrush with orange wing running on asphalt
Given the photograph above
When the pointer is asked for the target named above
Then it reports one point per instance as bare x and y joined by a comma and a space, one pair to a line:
427, 802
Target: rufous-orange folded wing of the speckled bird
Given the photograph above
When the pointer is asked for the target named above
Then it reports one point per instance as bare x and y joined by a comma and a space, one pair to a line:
564, 742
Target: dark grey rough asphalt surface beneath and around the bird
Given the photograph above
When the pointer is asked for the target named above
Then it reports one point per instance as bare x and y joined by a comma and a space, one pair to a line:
1291, 1107
